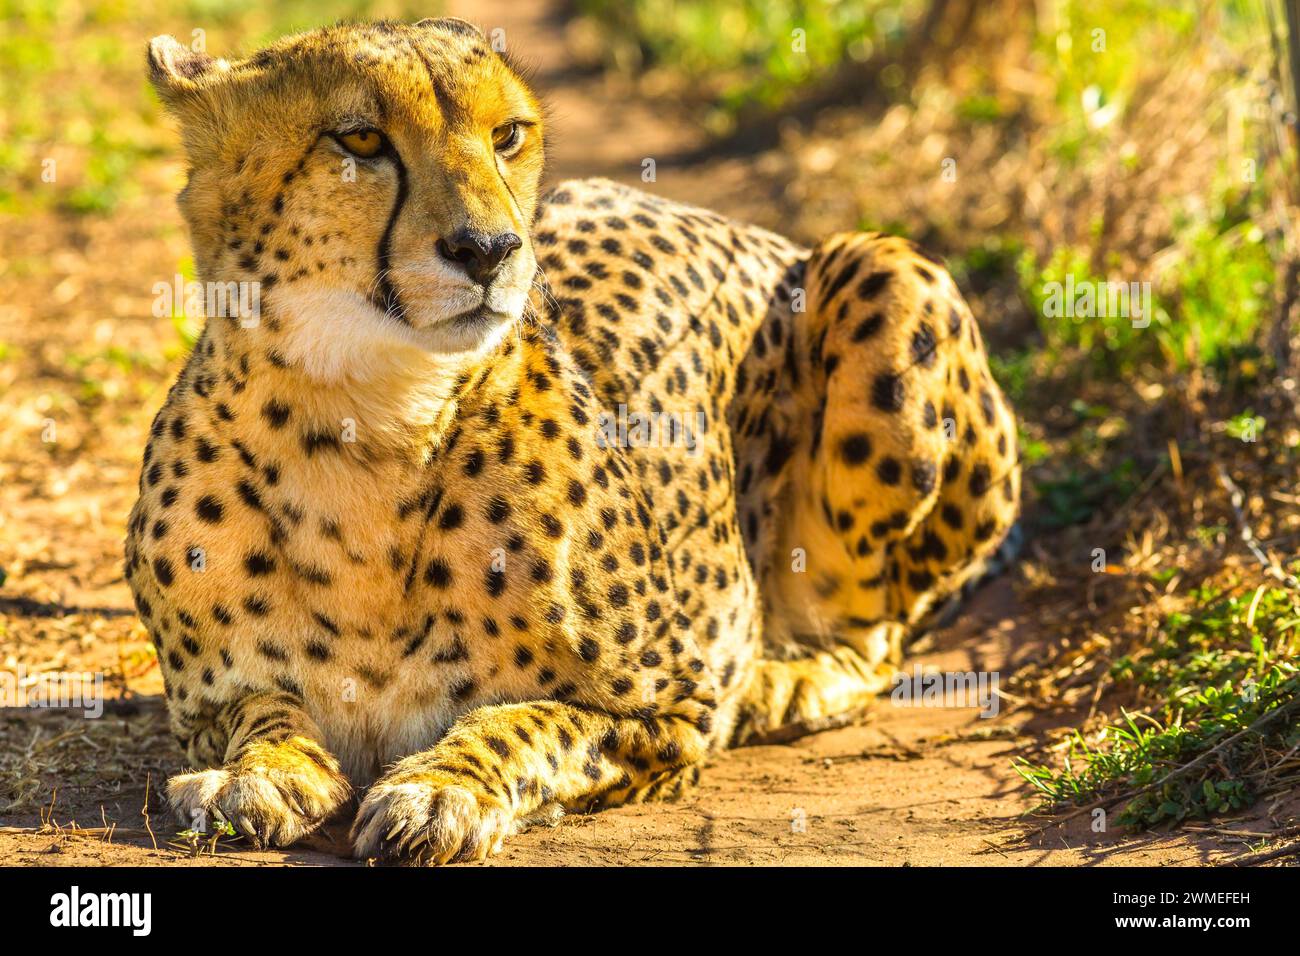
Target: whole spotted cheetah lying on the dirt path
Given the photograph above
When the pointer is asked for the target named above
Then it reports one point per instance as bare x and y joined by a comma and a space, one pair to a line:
502, 505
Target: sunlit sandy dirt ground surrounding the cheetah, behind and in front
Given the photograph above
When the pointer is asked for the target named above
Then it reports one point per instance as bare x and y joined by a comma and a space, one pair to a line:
911, 786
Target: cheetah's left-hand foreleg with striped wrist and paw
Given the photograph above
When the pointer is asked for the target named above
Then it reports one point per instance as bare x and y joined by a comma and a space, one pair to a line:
276, 785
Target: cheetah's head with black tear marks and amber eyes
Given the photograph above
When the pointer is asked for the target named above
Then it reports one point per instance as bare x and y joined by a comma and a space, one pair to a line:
379, 180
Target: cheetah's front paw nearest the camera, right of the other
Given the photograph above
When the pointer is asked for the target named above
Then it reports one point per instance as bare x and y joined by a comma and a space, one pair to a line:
434, 819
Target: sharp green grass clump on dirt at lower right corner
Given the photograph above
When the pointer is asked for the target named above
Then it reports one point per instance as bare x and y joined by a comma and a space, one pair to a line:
1215, 672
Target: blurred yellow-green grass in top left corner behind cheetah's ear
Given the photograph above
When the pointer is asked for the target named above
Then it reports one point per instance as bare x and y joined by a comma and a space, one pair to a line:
72, 79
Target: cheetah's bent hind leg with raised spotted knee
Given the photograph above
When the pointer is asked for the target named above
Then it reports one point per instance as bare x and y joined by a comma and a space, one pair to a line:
902, 436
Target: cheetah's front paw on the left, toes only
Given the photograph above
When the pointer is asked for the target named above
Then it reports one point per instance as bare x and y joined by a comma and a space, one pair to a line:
272, 808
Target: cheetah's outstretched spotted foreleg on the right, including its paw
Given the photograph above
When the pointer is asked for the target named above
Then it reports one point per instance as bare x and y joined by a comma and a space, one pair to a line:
501, 768
